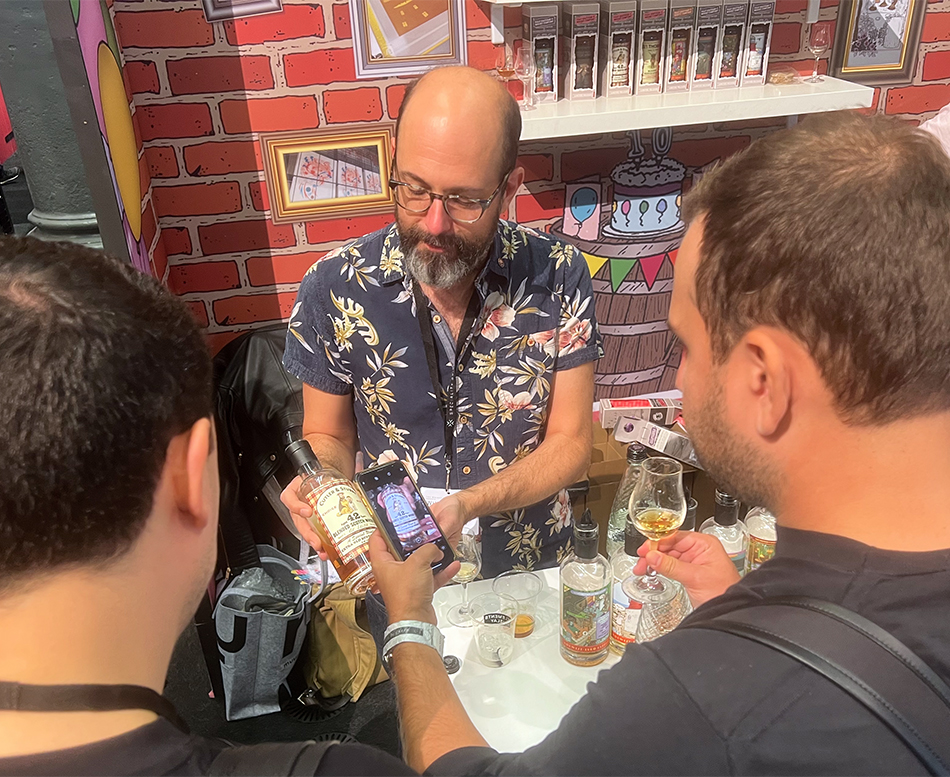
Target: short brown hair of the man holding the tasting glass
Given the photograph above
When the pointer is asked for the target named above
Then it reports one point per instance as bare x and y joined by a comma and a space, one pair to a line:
838, 231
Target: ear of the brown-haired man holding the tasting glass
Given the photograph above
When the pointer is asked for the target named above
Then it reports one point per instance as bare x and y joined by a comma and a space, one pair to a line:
767, 375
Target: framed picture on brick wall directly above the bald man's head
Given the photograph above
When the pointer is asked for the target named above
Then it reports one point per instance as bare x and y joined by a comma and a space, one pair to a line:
407, 37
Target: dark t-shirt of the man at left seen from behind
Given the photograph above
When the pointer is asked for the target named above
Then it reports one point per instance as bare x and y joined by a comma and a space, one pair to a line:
161, 749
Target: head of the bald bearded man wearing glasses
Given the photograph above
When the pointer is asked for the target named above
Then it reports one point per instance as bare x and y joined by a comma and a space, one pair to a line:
457, 134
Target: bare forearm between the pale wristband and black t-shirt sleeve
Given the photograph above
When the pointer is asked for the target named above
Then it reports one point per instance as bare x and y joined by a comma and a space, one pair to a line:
434, 722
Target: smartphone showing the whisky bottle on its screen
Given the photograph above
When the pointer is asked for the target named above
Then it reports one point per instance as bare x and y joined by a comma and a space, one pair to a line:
401, 513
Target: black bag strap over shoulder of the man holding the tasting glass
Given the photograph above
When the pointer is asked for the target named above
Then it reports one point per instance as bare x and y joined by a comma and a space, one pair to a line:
862, 659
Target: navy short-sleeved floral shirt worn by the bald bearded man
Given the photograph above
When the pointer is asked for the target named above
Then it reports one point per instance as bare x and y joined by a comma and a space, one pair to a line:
354, 330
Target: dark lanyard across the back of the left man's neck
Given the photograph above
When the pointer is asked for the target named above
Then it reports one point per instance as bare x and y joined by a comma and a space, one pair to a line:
86, 698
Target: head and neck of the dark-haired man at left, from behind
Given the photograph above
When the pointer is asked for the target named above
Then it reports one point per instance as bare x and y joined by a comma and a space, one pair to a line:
109, 493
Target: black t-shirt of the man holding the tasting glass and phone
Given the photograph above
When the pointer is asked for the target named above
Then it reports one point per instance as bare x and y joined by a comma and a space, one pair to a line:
704, 702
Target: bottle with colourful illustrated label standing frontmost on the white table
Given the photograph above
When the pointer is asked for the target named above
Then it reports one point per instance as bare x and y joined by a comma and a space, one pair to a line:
585, 598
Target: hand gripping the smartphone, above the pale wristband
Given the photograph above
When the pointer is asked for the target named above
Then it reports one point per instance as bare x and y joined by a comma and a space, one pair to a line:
407, 586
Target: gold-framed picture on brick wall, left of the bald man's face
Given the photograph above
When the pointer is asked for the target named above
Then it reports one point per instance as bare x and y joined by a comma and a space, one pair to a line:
328, 174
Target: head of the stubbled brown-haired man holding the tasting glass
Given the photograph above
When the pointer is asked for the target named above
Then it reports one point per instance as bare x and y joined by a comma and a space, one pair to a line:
813, 283
